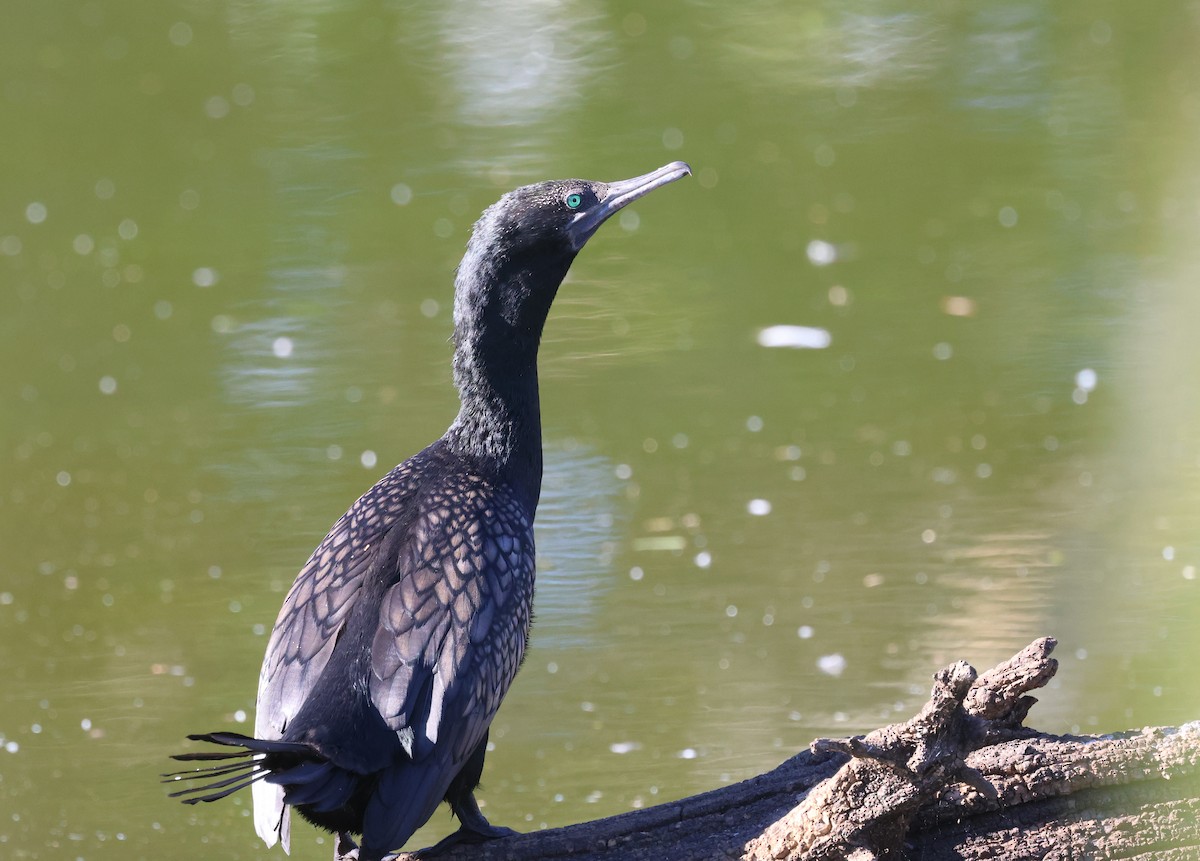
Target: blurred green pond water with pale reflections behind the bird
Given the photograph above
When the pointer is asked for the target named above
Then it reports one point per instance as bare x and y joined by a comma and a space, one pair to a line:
907, 374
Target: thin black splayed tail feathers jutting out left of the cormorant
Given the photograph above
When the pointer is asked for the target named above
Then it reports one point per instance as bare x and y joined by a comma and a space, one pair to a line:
235, 769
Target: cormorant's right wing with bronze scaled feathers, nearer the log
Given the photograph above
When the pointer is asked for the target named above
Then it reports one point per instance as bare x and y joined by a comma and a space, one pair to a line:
453, 630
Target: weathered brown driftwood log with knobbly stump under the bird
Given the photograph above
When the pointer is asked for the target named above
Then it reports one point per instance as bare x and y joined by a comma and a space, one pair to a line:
962, 780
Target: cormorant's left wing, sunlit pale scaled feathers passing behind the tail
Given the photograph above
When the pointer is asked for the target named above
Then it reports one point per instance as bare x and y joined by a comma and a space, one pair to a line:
313, 617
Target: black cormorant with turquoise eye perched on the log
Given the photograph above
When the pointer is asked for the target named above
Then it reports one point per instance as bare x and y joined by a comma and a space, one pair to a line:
405, 630
